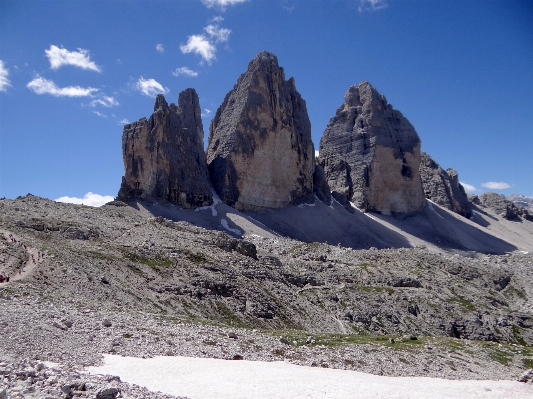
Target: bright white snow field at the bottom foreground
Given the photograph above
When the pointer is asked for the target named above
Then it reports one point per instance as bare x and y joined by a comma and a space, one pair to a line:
199, 378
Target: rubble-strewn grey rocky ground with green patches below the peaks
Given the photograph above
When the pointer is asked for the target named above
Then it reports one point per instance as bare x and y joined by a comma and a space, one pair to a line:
108, 280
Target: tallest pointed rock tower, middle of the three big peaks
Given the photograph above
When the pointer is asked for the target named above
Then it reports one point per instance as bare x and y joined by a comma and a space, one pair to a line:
260, 154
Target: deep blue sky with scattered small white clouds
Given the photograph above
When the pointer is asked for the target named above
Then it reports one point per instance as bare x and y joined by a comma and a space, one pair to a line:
72, 72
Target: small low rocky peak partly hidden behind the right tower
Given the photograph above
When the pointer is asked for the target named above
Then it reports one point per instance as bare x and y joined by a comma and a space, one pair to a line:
443, 187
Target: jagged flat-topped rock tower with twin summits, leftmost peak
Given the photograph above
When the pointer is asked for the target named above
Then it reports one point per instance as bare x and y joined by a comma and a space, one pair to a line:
164, 156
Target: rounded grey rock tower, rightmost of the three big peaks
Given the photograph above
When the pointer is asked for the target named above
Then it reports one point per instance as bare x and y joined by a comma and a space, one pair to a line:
371, 155
